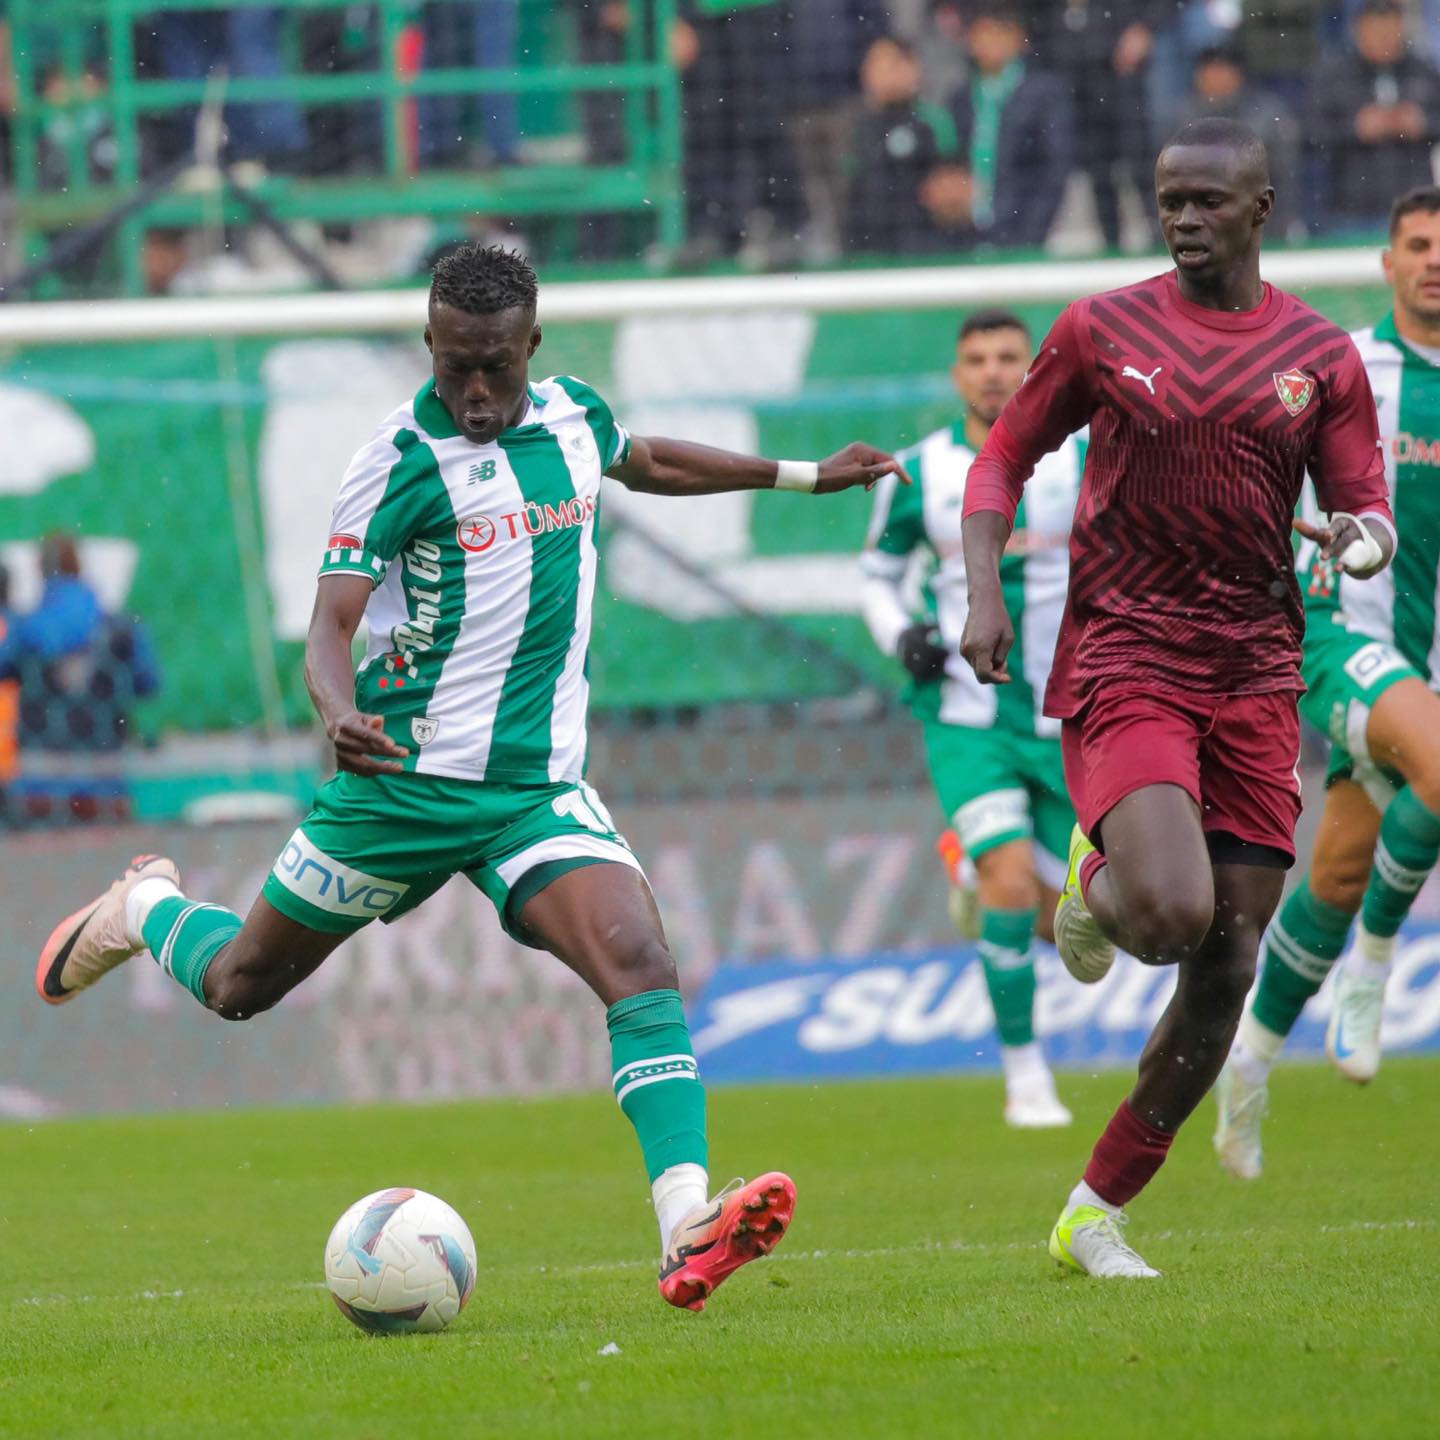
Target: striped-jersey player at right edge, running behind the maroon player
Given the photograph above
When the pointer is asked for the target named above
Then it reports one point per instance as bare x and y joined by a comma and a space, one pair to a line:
1372, 665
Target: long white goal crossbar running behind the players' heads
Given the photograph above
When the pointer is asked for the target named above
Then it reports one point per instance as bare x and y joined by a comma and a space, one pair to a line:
819, 293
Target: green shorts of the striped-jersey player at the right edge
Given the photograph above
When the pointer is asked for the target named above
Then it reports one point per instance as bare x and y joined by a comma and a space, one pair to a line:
1346, 675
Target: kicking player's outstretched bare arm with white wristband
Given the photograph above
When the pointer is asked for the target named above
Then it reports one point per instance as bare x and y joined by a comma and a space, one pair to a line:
665, 467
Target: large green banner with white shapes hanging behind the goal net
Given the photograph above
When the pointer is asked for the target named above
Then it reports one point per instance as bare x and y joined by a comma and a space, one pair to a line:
199, 477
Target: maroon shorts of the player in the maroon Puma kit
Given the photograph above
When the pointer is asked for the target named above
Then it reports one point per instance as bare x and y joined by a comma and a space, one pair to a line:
1236, 757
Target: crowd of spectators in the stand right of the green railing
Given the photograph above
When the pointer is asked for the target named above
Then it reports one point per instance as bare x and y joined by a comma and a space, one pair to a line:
963, 122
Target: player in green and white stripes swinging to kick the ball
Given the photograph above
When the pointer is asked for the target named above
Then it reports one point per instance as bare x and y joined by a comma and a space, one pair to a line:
464, 535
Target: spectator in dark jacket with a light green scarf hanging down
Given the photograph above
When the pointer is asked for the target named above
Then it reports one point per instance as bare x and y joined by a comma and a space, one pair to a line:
1014, 132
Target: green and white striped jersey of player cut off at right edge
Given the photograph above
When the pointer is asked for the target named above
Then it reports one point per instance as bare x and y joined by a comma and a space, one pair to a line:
1399, 606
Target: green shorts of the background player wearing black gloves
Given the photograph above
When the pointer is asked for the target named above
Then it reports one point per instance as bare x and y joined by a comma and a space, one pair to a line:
997, 787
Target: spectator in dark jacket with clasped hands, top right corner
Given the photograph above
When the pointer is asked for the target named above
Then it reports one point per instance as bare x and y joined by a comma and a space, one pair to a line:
1373, 122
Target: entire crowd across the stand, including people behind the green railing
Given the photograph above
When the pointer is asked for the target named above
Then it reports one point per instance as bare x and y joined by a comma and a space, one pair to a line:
814, 129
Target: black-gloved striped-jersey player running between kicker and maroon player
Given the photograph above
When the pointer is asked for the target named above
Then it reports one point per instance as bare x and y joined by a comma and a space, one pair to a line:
994, 757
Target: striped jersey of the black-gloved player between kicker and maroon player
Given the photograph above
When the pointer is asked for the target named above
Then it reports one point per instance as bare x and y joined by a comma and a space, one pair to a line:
1035, 575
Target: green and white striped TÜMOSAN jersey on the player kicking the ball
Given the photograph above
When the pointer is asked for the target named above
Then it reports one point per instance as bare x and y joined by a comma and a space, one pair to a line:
483, 561
